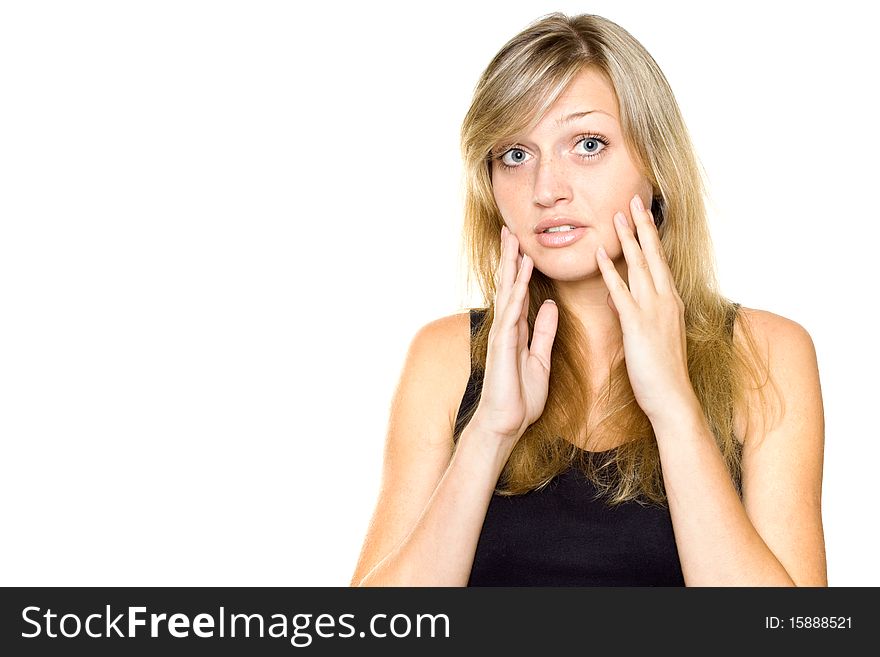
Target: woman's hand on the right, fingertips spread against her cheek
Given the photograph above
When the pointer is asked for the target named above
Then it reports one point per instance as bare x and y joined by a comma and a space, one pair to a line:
651, 317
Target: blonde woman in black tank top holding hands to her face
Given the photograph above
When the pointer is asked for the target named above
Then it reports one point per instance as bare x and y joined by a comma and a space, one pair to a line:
609, 418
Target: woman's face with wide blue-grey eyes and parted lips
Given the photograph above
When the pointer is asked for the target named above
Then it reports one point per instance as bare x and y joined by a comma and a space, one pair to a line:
569, 169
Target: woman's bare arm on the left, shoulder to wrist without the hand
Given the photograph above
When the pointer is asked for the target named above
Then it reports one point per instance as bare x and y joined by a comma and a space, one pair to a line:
432, 505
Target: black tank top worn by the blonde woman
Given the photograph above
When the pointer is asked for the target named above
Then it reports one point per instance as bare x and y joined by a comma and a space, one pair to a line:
562, 535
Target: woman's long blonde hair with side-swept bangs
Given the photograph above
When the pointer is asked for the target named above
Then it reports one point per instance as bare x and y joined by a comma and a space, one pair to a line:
517, 88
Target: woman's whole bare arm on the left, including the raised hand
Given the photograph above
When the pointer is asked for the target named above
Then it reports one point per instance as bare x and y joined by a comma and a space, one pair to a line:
432, 505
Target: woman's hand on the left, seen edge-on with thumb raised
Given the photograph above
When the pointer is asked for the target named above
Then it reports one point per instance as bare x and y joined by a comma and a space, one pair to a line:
517, 376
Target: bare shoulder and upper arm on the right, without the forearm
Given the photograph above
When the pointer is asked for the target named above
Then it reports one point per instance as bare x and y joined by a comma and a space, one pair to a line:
783, 457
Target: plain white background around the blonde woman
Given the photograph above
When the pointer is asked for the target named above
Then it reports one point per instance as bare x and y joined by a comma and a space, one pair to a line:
223, 222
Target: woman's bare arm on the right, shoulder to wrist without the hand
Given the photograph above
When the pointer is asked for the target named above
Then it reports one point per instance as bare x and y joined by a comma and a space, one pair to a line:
774, 536
